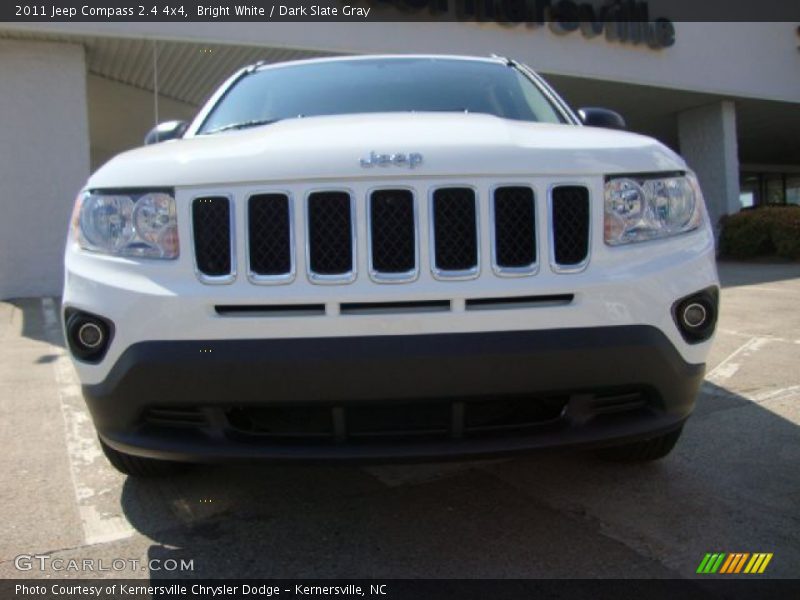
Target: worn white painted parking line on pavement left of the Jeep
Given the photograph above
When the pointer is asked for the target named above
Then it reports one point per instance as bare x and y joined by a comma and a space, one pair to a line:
90, 481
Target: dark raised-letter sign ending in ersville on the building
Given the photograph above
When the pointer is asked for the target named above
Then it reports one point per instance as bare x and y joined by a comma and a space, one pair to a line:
623, 21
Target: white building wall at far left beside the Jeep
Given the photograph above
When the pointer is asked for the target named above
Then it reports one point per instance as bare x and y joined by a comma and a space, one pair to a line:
44, 160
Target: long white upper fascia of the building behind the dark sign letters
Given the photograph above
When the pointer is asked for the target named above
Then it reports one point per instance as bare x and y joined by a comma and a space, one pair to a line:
750, 60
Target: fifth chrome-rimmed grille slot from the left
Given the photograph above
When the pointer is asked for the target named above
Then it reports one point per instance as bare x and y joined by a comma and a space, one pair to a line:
455, 230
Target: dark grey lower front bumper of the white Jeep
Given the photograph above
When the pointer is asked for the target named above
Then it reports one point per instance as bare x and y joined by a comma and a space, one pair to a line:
393, 397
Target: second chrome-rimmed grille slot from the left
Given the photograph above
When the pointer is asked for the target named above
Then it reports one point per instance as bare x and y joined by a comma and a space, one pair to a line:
269, 235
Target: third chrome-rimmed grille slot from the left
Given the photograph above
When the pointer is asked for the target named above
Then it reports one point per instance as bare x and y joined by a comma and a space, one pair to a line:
330, 234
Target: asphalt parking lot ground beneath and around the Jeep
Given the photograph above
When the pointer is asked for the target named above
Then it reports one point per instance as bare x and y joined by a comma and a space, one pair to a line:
732, 484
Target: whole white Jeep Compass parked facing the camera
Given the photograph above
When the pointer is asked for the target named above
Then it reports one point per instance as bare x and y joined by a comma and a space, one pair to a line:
389, 257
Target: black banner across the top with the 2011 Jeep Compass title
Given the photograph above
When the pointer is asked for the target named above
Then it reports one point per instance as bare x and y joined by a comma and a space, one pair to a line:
569, 15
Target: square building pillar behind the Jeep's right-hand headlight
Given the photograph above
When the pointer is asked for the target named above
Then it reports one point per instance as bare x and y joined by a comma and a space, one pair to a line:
707, 137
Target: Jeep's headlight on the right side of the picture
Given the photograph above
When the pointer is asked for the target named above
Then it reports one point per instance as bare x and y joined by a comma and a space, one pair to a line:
639, 209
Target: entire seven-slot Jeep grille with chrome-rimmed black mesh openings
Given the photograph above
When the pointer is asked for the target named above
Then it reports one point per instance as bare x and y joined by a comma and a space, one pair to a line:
396, 239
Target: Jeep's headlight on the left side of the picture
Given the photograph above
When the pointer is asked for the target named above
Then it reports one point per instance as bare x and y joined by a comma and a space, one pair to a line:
141, 224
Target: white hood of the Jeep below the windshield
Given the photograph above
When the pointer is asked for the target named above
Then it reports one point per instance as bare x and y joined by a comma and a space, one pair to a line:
451, 145
